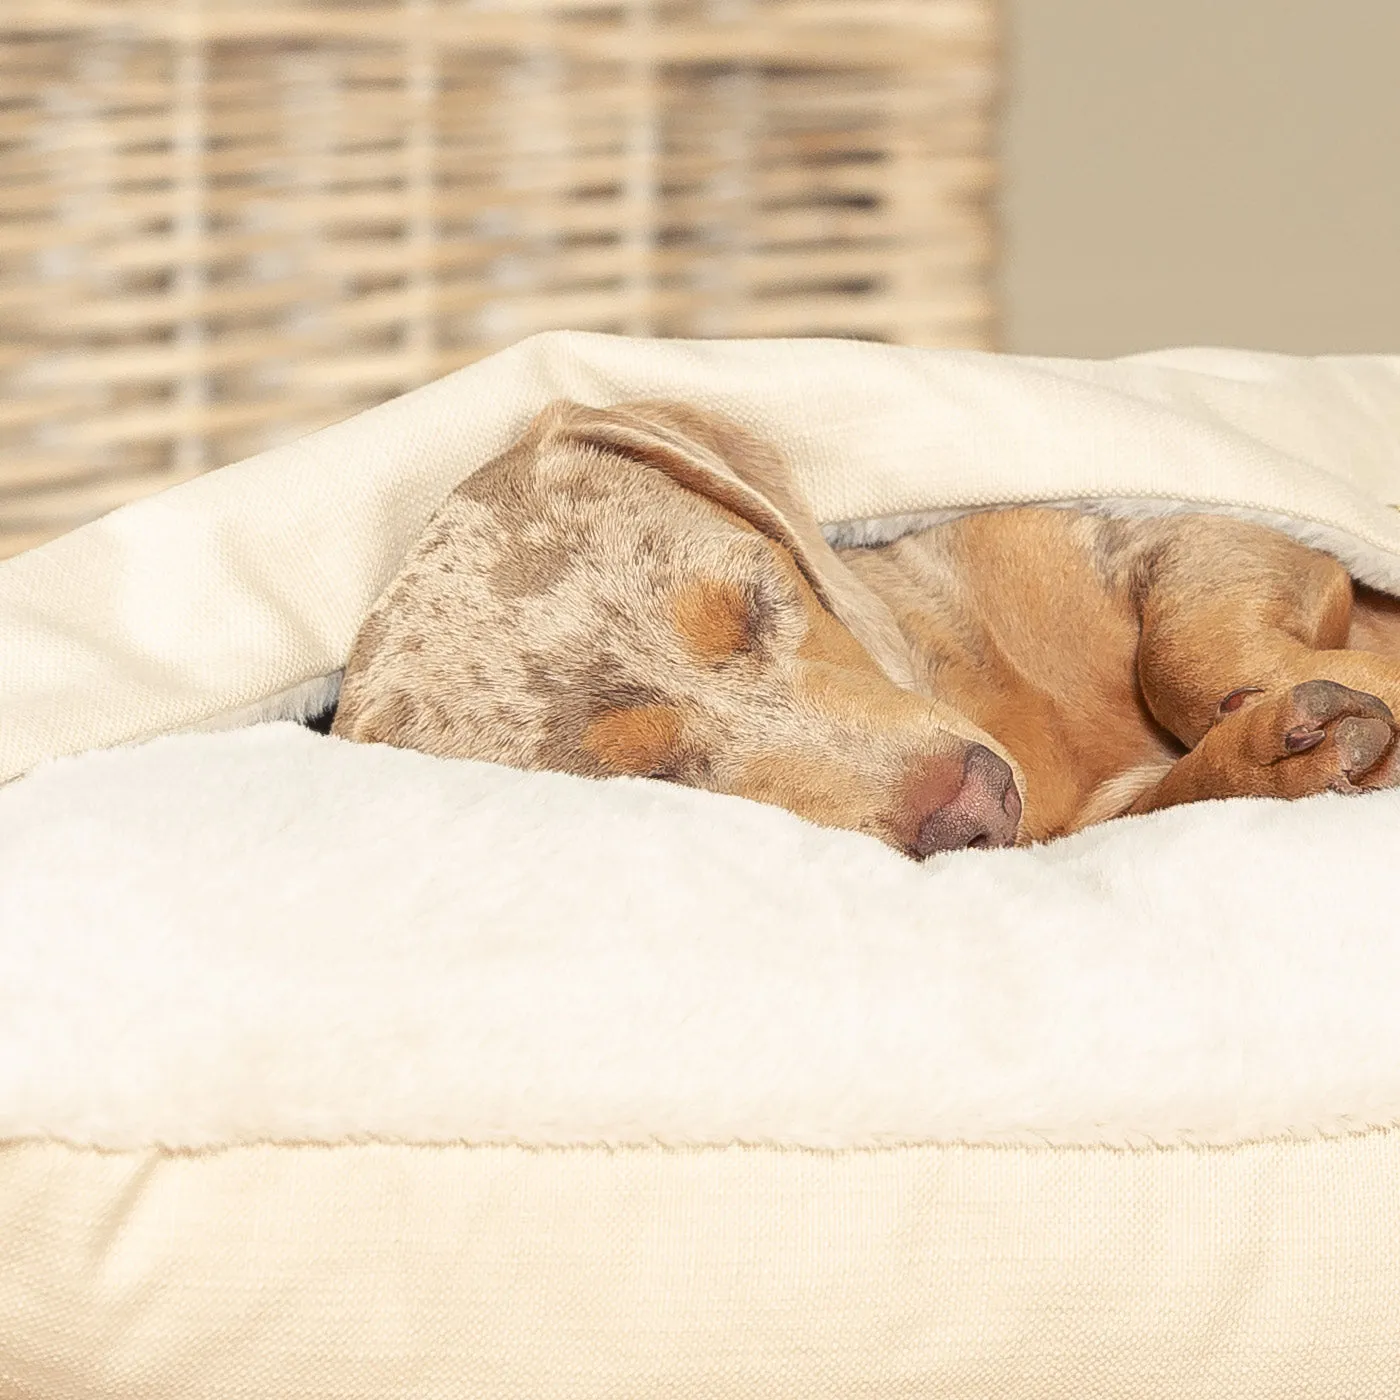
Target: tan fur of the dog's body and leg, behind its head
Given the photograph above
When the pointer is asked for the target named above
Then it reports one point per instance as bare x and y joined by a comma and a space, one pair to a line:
1100, 652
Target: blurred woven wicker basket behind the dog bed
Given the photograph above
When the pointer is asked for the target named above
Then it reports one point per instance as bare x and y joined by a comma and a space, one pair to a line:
225, 225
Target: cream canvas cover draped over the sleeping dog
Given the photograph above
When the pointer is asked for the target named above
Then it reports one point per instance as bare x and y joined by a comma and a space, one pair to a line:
253, 580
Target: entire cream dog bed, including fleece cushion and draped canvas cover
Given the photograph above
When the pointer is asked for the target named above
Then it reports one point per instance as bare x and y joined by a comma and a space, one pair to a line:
337, 1070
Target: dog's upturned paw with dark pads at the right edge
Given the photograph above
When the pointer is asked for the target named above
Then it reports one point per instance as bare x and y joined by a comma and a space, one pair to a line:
1319, 737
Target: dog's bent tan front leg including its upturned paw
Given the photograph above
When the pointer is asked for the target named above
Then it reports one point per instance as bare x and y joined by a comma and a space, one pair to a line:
1242, 656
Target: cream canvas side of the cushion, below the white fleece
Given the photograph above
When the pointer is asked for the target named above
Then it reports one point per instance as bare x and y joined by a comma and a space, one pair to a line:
376, 1273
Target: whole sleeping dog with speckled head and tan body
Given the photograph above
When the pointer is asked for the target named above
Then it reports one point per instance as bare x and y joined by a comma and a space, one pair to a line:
643, 591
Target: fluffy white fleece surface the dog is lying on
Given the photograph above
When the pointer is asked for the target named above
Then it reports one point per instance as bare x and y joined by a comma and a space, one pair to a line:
271, 936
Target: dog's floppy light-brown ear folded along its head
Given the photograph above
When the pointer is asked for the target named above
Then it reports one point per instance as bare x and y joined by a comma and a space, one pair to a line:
716, 457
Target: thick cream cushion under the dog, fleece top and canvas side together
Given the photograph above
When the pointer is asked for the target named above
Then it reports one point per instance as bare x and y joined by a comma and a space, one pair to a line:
337, 1070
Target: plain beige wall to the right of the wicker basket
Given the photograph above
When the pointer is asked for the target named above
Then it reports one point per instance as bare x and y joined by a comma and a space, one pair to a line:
1202, 173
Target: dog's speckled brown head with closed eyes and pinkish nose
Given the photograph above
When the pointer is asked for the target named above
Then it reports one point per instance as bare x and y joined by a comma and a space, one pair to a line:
642, 591
